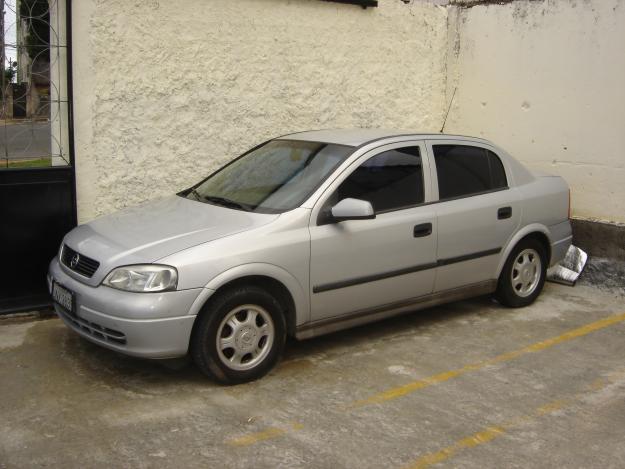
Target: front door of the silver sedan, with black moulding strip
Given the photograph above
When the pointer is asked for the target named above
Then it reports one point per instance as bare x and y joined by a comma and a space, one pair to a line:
358, 265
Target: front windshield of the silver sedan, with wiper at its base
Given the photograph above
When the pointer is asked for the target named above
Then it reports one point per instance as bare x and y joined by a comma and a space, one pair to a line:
273, 178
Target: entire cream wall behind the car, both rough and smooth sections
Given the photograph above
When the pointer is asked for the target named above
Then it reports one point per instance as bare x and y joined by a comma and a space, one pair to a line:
166, 91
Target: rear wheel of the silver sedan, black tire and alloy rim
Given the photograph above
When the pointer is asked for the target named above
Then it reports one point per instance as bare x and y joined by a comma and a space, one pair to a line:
510, 292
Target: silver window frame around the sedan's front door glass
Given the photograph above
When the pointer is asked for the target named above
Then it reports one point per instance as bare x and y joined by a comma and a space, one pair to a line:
341, 175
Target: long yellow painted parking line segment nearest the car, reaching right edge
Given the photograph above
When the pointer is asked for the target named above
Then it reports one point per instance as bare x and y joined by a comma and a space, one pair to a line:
400, 391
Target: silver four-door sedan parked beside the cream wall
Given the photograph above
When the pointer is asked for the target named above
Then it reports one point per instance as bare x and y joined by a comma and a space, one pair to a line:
307, 234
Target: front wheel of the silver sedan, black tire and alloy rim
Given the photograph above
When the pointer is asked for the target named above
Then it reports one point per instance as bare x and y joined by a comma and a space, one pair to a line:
208, 356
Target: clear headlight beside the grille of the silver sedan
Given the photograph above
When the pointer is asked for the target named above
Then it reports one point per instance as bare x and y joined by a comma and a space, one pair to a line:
143, 278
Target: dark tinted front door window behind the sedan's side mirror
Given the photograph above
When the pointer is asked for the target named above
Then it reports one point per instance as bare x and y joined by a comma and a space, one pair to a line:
390, 180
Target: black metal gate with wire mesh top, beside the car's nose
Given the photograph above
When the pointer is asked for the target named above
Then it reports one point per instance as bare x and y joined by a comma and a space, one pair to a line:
37, 178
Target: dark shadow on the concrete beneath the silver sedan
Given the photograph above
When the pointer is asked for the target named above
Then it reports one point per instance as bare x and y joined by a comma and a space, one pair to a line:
158, 376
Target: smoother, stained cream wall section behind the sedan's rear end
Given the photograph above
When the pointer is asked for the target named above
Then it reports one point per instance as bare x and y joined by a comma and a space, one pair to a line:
546, 80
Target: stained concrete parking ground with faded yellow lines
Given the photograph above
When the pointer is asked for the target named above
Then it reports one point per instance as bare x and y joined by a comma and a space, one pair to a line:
470, 384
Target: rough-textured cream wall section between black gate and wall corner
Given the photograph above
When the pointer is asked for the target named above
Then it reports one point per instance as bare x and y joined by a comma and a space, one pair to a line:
168, 90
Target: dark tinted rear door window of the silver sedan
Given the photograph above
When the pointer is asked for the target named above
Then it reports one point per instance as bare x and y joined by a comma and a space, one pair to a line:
465, 170
